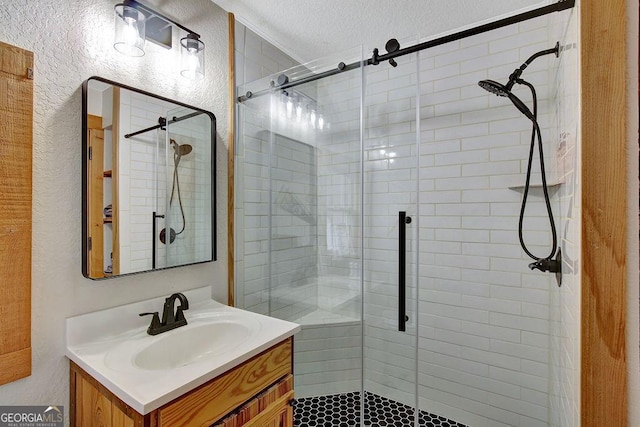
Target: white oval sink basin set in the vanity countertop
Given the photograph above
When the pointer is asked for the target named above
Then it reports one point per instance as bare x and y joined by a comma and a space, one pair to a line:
188, 345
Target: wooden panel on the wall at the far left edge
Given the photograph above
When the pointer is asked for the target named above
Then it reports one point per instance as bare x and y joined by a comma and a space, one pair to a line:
16, 159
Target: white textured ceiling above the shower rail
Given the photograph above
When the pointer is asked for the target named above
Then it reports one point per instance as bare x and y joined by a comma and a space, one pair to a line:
311, 29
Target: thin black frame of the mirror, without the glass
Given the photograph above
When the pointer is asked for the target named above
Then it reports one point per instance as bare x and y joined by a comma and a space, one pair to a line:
85, 170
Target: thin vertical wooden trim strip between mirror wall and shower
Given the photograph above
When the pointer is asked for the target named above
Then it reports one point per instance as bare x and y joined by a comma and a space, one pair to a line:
231, 161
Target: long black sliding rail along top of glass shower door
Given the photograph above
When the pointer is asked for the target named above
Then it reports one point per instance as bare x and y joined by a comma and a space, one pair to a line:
521, 17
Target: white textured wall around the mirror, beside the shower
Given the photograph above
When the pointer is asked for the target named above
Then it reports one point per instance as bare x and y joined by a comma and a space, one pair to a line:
72, 41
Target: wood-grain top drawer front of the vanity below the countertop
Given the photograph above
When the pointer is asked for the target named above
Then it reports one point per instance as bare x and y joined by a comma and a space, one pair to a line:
206, 404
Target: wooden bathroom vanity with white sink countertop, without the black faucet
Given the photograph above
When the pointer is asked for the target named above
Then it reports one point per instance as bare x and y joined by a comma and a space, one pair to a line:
226, 367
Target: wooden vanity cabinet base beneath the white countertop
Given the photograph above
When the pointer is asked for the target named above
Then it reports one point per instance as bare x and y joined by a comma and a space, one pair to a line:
256, 393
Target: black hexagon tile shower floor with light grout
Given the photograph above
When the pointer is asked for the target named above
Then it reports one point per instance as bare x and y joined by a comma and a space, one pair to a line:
343, 410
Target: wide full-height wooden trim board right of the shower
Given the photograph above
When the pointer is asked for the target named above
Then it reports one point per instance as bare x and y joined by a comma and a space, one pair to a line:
604, 210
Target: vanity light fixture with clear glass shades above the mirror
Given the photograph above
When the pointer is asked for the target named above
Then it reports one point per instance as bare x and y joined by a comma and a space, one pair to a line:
136, 23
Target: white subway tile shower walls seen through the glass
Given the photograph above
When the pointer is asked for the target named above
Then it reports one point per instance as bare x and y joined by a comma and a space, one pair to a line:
485, 326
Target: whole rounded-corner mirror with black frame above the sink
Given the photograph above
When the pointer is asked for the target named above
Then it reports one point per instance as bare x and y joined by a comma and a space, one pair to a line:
148, 181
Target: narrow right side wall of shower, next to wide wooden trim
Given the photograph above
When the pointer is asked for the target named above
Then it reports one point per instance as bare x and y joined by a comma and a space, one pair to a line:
565, 301
